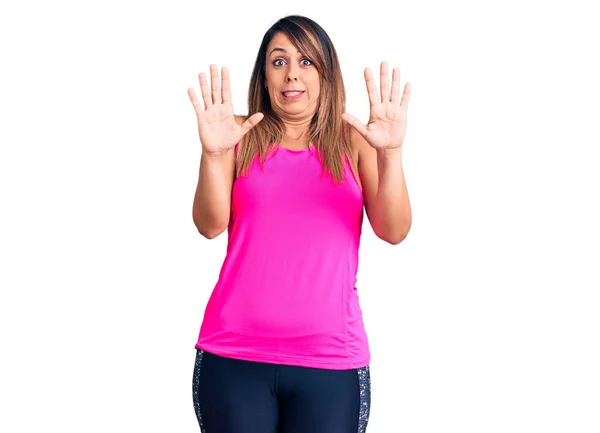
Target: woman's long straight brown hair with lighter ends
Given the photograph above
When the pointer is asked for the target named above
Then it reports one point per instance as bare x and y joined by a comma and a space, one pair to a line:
327, 129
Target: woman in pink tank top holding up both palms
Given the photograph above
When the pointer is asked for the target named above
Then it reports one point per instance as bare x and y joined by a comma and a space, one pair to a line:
282, 347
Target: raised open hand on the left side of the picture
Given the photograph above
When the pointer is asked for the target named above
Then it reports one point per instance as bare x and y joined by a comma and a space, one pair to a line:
217, 127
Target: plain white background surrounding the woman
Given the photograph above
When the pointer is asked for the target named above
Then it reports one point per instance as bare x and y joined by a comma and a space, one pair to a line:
485, 319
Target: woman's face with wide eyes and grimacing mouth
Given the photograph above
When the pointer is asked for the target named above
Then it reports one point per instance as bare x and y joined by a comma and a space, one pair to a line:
289, 70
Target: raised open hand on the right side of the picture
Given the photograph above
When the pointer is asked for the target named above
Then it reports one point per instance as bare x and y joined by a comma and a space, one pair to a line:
387, 121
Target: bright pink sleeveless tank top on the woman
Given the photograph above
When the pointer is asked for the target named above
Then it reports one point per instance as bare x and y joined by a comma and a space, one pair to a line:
286, 292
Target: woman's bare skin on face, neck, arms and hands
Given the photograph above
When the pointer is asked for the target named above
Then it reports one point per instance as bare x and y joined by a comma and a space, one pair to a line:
376, 146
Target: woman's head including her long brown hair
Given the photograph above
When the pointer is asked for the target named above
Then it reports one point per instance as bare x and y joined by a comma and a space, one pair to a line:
297, 54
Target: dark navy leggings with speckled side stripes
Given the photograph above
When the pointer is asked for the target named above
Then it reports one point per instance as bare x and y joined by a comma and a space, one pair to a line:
235, 396
